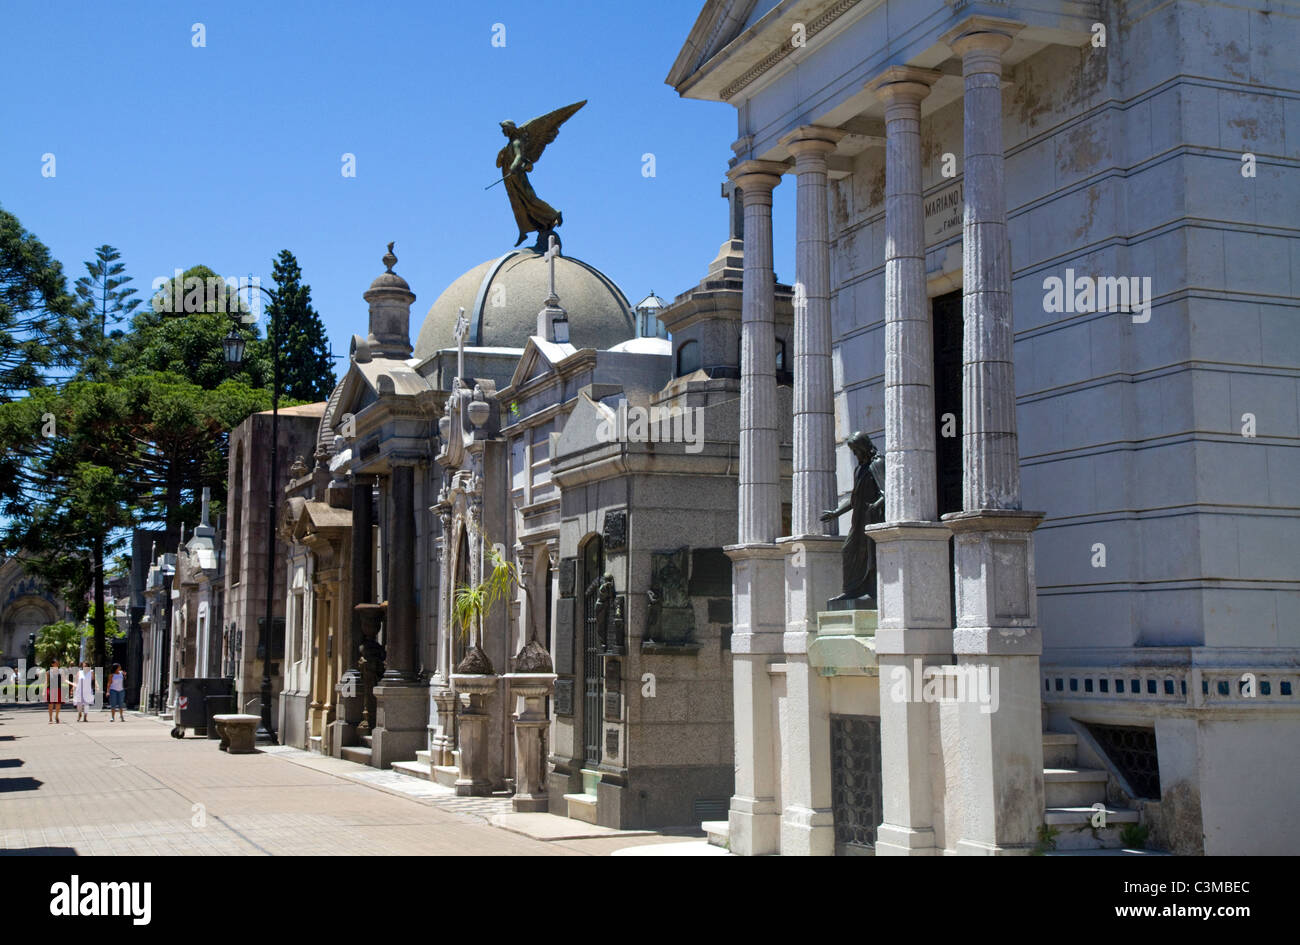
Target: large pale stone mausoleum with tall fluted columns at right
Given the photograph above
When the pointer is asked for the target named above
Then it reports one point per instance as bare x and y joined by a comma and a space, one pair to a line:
990, 176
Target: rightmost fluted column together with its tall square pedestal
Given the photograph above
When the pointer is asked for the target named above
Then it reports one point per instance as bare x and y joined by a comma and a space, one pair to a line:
998, 640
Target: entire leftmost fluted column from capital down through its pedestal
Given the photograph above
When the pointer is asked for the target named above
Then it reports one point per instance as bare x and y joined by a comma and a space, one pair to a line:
759, 593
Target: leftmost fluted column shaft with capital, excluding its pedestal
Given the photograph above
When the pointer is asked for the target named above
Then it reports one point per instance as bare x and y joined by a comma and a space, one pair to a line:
760, 427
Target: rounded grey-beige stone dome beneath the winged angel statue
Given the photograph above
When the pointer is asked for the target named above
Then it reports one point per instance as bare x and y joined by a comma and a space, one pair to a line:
502, 298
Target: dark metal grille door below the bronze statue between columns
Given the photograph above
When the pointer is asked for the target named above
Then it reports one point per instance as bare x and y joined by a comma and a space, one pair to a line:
856, 783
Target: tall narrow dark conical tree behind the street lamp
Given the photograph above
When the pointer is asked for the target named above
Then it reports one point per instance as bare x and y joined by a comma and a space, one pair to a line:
306, 369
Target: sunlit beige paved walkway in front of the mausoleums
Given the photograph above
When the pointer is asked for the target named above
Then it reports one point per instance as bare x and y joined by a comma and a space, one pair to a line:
103, 788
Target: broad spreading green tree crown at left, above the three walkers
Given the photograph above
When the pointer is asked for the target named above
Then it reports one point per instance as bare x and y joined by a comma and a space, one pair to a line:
125, 453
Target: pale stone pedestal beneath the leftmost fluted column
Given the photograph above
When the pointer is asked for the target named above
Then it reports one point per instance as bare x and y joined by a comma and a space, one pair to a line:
759, 589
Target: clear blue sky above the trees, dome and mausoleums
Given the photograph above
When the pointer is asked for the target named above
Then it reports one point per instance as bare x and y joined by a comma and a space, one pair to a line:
227, 154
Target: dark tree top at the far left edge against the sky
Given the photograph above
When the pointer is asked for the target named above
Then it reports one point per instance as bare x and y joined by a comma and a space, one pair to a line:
38, 317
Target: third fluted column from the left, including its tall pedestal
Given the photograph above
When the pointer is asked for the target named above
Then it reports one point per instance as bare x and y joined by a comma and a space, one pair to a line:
912, 548
